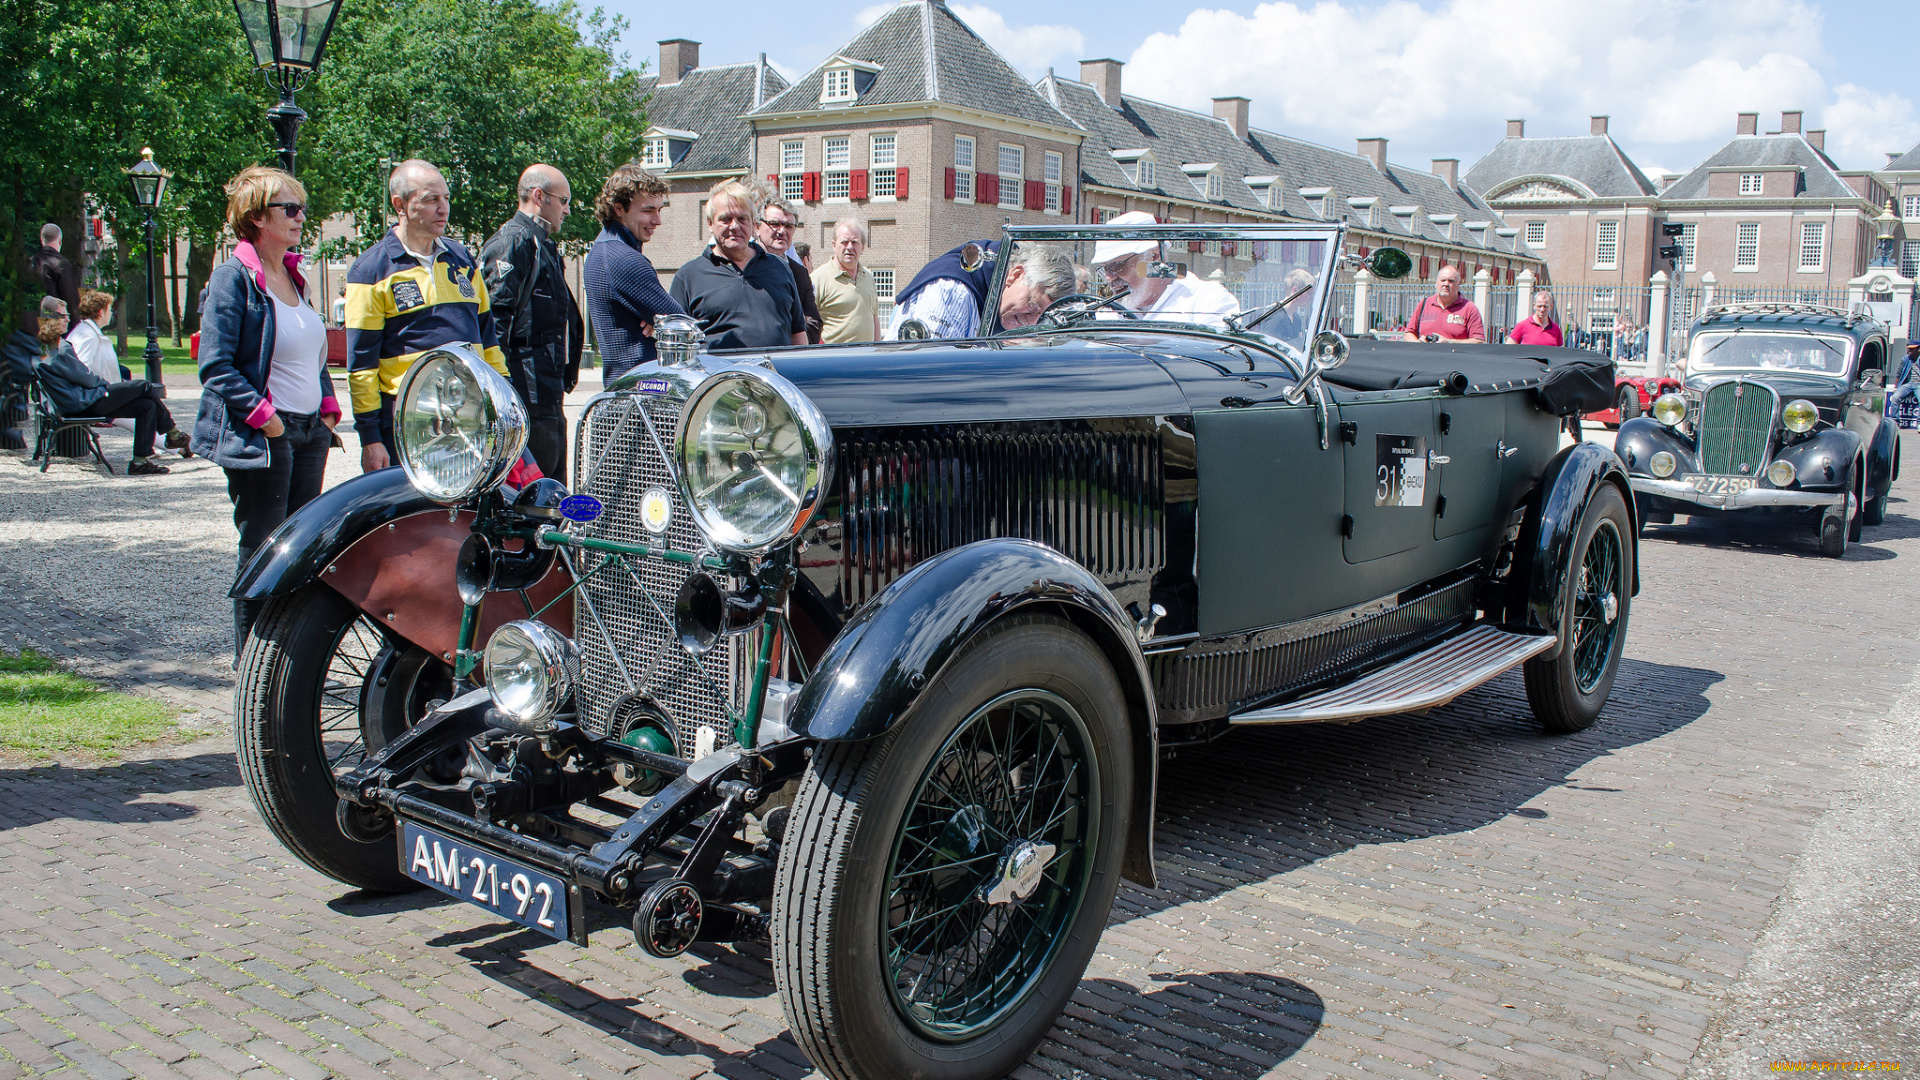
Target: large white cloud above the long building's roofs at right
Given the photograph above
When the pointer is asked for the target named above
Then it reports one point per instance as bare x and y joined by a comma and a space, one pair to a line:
1671, 74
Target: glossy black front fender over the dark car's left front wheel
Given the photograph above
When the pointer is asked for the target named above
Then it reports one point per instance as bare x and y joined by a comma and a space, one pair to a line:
316, 533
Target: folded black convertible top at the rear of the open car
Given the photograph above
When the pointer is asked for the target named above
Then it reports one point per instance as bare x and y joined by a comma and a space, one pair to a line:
1566, 380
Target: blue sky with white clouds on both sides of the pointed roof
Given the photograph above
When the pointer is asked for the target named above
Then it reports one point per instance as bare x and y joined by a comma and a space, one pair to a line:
1437, 78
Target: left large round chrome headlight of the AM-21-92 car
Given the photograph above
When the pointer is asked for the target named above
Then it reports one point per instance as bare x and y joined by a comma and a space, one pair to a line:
458, 422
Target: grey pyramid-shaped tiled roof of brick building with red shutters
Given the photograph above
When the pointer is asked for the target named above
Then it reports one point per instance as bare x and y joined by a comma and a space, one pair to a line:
926, 55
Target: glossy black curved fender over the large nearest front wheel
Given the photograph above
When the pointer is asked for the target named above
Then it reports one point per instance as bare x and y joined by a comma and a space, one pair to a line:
900, 643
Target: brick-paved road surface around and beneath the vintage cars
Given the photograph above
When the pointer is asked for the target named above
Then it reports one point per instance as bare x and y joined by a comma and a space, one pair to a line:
1452, 895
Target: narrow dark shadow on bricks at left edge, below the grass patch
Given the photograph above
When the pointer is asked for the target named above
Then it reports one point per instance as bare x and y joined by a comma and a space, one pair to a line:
112, 795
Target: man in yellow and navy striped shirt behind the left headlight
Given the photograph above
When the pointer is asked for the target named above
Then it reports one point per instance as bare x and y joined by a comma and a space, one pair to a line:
410, 293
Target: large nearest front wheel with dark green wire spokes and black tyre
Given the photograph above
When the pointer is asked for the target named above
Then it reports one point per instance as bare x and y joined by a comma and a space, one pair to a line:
942, 887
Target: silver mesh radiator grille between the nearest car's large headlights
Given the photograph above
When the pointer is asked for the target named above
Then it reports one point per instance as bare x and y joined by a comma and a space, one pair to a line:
619, 462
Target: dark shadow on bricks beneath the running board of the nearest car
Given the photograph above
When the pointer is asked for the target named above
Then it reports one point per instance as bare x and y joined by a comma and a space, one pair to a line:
1262, 802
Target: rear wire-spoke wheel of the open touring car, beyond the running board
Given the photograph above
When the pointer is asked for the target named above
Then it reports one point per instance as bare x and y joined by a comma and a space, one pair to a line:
1570, 689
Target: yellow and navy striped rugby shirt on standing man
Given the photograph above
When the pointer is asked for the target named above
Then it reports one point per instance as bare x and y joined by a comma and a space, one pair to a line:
400, 308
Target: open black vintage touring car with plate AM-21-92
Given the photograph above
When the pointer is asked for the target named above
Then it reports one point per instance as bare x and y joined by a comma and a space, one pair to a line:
873, 650
